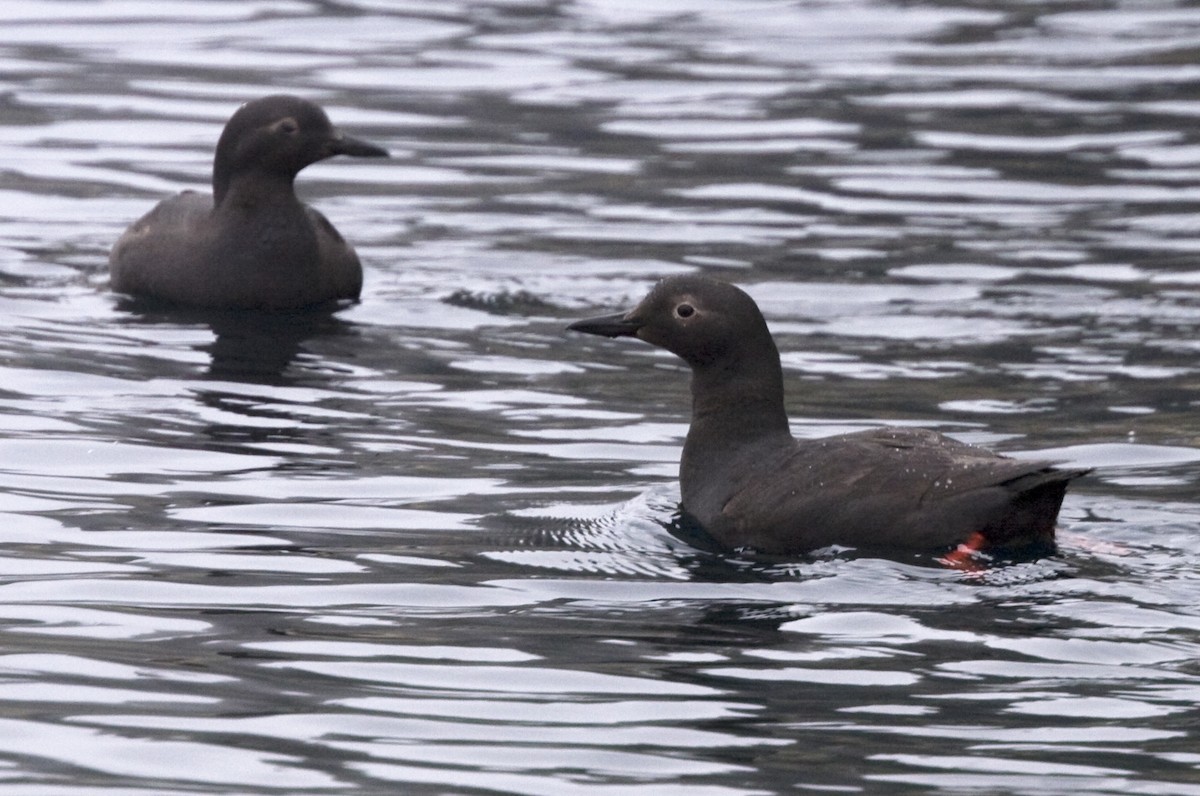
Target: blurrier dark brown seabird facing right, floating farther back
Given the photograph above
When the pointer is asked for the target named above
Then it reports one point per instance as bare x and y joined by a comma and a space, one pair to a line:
253, 244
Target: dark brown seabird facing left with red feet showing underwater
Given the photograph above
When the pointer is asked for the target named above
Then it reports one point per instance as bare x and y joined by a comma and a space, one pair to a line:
751, 484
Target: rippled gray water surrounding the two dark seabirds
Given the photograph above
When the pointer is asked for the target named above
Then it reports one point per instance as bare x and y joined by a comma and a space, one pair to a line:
424, 546
